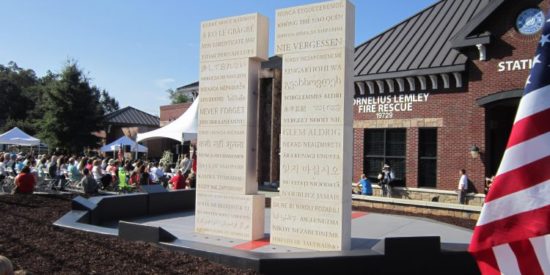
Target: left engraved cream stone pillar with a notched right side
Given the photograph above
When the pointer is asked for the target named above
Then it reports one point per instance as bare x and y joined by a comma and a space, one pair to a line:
227, 202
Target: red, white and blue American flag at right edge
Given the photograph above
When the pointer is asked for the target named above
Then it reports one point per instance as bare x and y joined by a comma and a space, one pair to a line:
512, 233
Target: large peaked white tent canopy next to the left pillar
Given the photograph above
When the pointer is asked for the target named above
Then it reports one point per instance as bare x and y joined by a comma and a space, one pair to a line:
185, 127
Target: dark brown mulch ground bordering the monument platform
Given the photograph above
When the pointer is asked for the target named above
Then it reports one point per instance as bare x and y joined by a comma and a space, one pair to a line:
29, 239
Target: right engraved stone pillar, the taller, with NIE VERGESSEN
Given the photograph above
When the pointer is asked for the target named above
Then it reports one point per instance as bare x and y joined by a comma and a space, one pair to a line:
313, 210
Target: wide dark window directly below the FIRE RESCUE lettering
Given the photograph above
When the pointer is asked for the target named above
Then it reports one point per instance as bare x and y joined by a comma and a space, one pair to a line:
385, 146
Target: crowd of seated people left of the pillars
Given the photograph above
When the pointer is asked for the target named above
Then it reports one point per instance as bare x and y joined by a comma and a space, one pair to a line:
94, 173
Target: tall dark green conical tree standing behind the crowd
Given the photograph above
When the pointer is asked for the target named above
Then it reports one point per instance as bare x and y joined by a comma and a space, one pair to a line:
71, 111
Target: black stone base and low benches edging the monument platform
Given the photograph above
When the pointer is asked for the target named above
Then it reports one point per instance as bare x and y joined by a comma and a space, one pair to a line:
405, 255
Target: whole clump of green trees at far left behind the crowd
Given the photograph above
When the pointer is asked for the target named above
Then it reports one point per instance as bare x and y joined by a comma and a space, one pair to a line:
64, 109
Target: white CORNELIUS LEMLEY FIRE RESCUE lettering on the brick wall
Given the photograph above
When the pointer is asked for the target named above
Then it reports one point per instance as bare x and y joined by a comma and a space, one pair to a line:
385, 106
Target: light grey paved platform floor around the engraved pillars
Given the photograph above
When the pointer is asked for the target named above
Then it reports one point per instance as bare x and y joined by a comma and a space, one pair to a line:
368, 232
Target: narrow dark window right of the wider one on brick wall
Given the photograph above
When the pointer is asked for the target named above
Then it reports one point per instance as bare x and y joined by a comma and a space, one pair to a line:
427, 157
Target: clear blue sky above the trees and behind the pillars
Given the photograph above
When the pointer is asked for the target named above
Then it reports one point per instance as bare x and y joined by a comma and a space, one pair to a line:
138, 49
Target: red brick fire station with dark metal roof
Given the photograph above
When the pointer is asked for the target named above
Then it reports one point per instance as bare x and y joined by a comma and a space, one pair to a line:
439, 91
